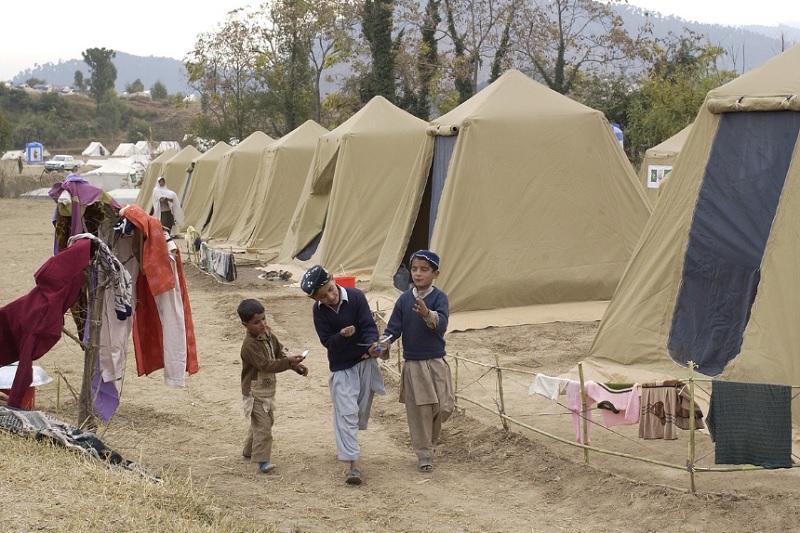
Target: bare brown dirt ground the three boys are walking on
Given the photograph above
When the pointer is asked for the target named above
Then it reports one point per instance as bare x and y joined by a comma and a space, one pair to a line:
486, 479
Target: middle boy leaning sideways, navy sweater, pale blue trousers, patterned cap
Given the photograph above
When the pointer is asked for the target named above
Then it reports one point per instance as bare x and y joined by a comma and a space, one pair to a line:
344, 324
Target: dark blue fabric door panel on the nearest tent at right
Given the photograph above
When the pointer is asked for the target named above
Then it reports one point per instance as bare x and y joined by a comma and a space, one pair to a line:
736, 204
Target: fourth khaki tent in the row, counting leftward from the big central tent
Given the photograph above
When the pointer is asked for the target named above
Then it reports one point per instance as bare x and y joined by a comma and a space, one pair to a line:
236, 171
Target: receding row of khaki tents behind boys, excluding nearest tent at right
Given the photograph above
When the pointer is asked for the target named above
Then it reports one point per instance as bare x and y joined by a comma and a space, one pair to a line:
526, 195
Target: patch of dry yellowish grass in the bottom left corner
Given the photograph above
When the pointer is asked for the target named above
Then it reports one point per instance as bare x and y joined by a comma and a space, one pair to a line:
76, 493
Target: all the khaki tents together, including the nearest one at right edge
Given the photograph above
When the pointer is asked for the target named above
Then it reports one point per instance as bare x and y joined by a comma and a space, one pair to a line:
530, 201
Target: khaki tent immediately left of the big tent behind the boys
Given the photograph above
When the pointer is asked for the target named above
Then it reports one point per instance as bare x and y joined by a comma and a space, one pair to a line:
359, 171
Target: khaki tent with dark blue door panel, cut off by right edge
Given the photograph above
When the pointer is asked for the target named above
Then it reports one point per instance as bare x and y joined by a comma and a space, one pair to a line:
714, 277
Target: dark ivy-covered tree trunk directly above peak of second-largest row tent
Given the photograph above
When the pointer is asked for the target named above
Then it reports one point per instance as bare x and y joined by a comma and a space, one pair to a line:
376, 25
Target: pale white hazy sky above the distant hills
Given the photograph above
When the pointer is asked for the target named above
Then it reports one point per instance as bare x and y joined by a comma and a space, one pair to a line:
62, 29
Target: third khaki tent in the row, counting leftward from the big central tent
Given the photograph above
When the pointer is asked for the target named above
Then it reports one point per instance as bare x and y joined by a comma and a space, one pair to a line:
269, 204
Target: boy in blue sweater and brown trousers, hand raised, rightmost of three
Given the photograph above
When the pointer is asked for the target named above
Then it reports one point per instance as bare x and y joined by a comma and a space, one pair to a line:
426, 387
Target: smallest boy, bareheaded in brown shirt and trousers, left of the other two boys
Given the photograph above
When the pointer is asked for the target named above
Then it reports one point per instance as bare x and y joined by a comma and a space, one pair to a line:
262, 357
